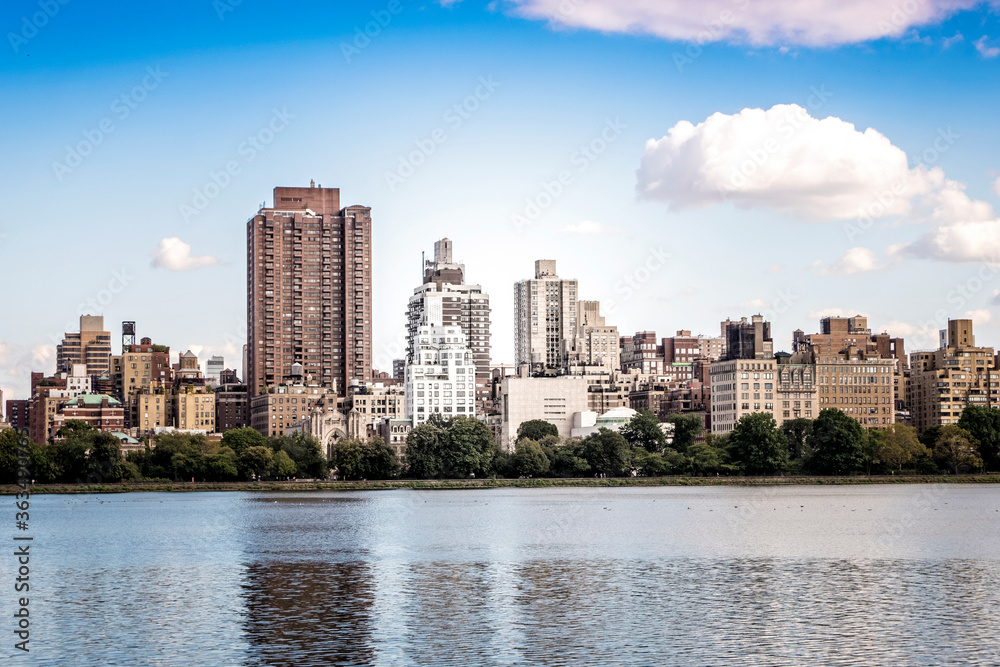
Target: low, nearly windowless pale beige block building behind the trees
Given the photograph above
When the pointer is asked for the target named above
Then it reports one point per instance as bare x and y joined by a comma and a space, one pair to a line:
553, 399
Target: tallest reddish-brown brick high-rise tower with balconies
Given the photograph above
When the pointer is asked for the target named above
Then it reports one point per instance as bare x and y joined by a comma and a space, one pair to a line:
309, 290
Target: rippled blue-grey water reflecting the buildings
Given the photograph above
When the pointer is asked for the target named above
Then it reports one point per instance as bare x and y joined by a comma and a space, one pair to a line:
855, 576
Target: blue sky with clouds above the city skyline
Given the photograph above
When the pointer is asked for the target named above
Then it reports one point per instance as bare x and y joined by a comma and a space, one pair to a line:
686, 162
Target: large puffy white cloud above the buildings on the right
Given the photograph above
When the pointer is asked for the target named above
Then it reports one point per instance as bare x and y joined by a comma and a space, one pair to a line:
785, 160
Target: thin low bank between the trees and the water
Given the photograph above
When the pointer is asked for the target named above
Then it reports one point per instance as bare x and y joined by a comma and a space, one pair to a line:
466, 484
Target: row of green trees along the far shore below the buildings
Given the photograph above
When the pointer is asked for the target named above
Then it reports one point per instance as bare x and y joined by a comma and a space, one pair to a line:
463, 447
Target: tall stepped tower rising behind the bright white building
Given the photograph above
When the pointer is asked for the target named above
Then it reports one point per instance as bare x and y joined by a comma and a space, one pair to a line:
444, 299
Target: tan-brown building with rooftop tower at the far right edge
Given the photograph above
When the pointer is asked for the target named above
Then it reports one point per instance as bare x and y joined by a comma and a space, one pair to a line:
944, 382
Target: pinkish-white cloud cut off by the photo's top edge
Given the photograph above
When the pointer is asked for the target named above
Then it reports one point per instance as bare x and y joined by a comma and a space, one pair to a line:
756, 22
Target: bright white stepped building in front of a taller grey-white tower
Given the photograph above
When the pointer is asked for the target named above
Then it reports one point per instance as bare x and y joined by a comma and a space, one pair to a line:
441, 376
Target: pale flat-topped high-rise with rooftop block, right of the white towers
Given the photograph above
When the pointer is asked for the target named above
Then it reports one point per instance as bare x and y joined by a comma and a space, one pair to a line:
545, 317
